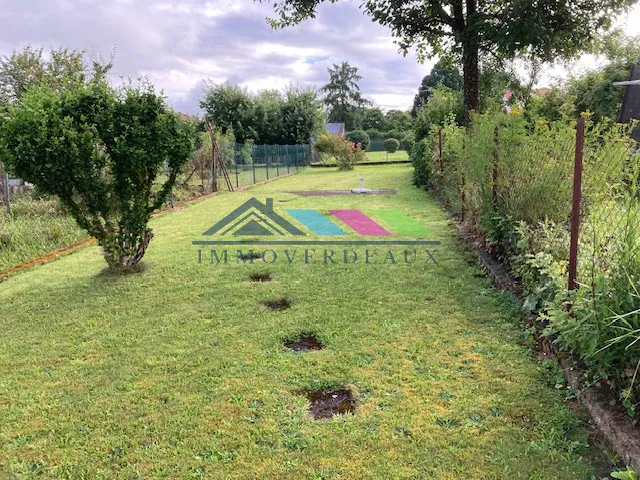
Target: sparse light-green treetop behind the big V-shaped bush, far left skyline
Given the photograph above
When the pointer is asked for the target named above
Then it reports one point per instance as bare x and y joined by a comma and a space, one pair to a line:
29, 68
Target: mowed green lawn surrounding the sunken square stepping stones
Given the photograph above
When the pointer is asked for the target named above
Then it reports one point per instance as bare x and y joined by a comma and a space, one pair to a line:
179, 372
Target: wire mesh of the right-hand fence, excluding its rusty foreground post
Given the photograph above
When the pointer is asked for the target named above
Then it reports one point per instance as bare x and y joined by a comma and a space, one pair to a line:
491, 172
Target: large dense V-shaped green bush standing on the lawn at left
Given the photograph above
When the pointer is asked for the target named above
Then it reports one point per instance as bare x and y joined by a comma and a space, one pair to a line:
100, 151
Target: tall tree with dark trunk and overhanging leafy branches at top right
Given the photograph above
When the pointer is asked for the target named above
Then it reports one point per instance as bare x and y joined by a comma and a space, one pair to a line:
468, 29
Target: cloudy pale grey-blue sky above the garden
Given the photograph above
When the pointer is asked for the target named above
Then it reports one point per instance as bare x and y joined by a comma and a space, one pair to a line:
179, 44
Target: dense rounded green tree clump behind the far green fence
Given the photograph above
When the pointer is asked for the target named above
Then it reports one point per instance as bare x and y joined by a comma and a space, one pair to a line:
268, 118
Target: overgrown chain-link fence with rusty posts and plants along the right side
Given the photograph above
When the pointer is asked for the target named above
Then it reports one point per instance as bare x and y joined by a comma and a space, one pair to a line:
560, 204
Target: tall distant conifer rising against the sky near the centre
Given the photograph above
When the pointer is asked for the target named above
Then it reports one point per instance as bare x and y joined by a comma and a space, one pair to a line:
342, 95
